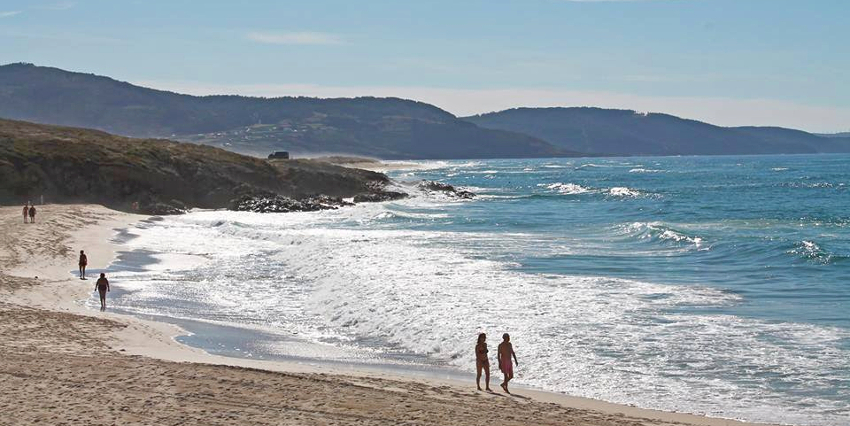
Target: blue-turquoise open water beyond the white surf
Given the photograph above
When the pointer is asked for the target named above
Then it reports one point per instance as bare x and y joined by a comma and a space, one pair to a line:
774, 230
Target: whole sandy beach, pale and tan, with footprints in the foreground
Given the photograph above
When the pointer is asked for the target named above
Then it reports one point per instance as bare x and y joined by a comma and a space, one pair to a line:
63, 364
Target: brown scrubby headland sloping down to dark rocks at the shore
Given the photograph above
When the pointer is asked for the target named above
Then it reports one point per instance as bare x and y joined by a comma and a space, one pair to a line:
79, 165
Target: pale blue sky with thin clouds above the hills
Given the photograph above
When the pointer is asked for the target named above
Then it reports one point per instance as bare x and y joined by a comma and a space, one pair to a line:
727, 62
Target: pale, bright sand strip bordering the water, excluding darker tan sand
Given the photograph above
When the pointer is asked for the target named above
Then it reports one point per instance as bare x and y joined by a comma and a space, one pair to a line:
96, 228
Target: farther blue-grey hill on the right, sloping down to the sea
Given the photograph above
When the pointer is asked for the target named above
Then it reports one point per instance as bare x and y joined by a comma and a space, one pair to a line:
626, 132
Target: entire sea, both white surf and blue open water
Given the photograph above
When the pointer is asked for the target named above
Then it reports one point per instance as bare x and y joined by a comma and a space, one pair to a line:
713, 285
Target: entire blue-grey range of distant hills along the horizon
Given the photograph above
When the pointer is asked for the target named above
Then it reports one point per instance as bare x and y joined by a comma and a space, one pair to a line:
388, 128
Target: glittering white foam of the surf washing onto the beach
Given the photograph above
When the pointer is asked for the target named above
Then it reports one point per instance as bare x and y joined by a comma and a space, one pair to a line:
334, 277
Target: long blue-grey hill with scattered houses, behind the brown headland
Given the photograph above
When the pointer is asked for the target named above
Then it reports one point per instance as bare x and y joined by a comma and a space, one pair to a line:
387, 128
